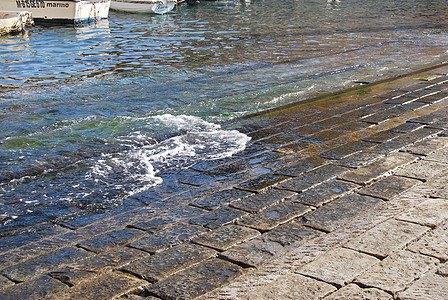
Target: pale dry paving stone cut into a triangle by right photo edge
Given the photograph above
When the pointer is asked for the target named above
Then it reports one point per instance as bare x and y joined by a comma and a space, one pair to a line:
434, 243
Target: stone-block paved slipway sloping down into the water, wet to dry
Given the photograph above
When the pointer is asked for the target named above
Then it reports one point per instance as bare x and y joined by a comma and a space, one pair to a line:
343, 196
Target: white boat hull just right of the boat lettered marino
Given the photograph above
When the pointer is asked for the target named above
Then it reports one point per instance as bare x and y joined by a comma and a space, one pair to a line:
143, 6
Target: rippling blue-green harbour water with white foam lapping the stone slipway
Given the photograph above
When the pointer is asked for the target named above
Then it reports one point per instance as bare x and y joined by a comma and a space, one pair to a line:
93, 114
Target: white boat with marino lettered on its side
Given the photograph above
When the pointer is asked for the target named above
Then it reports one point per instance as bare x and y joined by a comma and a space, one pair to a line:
72, 11
